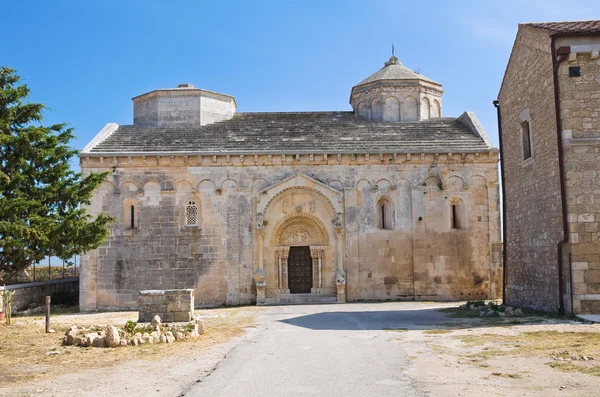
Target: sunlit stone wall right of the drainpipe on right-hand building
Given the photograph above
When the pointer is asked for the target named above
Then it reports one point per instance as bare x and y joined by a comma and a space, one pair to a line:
580, 104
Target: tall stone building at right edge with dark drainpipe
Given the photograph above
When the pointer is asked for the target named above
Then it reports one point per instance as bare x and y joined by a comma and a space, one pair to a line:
550, 136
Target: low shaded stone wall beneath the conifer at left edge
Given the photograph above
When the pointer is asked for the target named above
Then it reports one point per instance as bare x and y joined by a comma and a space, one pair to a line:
31, 295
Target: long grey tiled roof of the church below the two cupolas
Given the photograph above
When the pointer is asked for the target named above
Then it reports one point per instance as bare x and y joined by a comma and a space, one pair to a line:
296, 133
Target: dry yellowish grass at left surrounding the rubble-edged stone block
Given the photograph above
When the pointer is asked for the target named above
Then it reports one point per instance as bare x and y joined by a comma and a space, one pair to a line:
24, 345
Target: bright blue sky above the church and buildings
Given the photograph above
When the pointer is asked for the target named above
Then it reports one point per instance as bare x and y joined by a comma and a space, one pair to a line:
86, 59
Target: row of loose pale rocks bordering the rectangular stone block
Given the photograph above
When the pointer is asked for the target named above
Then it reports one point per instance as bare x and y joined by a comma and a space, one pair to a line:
110, 336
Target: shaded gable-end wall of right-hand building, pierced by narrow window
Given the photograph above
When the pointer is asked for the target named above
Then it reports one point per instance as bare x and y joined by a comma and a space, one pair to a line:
533, 205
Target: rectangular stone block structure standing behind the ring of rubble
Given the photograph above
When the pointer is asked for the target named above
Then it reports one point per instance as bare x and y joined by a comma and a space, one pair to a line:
171, 305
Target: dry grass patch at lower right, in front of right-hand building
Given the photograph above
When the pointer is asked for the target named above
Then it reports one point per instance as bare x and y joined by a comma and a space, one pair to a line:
542, 344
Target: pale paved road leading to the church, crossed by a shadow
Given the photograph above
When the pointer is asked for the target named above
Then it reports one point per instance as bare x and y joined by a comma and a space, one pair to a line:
322, 350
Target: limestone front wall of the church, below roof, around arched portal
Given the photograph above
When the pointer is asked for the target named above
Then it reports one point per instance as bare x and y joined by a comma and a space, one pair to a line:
421, 256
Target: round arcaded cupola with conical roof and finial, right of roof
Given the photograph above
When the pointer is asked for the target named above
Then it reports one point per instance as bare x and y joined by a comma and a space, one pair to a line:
396, 93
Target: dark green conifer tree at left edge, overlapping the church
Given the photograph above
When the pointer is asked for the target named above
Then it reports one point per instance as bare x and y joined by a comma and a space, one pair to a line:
42, 200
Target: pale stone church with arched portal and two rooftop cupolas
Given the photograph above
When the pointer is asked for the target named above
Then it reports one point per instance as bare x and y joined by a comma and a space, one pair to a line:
387, 201
